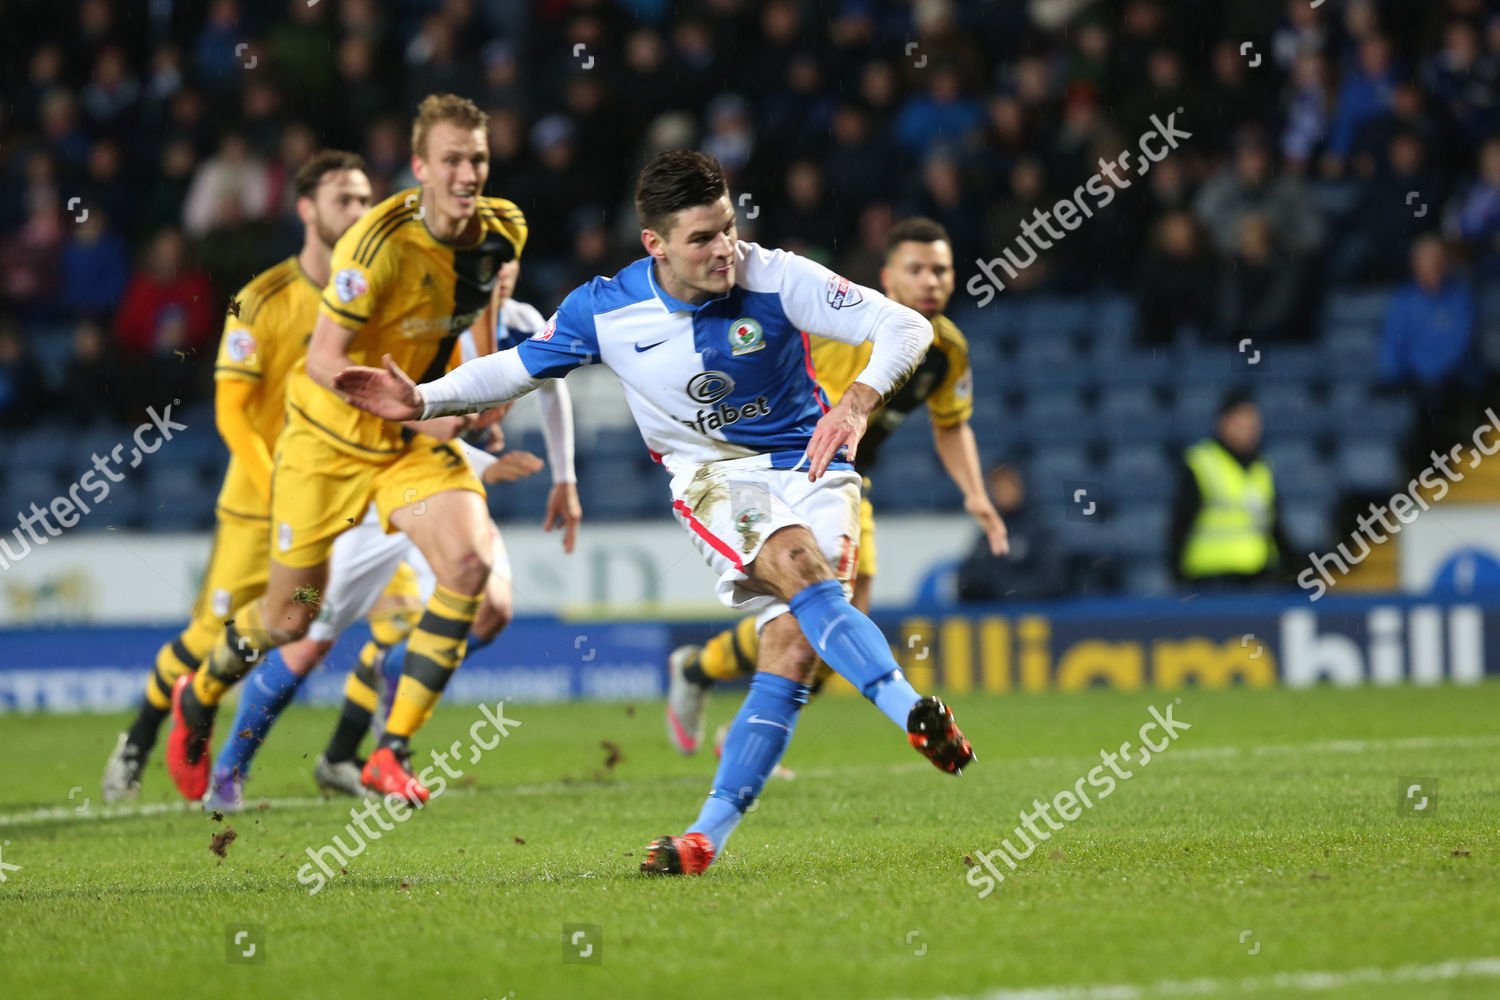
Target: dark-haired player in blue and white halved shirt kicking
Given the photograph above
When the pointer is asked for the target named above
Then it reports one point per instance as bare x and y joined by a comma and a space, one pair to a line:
709, 337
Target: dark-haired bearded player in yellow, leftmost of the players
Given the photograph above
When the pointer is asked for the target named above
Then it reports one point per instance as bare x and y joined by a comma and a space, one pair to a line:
265, 335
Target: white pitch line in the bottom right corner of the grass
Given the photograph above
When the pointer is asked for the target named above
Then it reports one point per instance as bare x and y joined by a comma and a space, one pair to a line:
1280, 984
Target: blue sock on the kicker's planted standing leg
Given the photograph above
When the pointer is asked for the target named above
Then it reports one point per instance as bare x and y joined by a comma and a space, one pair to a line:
755, 746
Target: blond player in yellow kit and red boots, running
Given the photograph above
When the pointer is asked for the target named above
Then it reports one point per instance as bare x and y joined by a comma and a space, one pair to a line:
406, 283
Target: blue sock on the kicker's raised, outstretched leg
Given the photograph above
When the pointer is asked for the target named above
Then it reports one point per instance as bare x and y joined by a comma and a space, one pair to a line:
853, 645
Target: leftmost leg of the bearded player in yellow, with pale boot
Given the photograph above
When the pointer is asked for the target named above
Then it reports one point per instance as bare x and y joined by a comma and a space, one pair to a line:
236, 573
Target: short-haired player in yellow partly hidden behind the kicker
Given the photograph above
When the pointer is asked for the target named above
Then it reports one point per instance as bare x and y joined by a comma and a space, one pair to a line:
917, 274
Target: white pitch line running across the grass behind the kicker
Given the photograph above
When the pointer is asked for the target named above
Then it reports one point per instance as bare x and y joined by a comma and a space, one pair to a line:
65, 813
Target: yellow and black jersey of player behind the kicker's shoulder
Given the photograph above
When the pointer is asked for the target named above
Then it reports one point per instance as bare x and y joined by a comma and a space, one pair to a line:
943, 382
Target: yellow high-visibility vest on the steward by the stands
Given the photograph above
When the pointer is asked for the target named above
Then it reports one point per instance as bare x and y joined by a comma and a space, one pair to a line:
1232, 533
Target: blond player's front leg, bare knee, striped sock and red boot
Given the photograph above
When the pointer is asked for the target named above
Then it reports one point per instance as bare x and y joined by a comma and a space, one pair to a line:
451, 528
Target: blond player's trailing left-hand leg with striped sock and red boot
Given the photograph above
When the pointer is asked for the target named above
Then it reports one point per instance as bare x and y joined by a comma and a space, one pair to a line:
281, 617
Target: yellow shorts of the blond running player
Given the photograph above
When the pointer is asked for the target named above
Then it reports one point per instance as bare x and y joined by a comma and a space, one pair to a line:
319, 493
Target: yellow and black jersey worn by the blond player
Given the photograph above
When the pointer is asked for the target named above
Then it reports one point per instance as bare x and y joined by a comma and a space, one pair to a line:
406, 295
